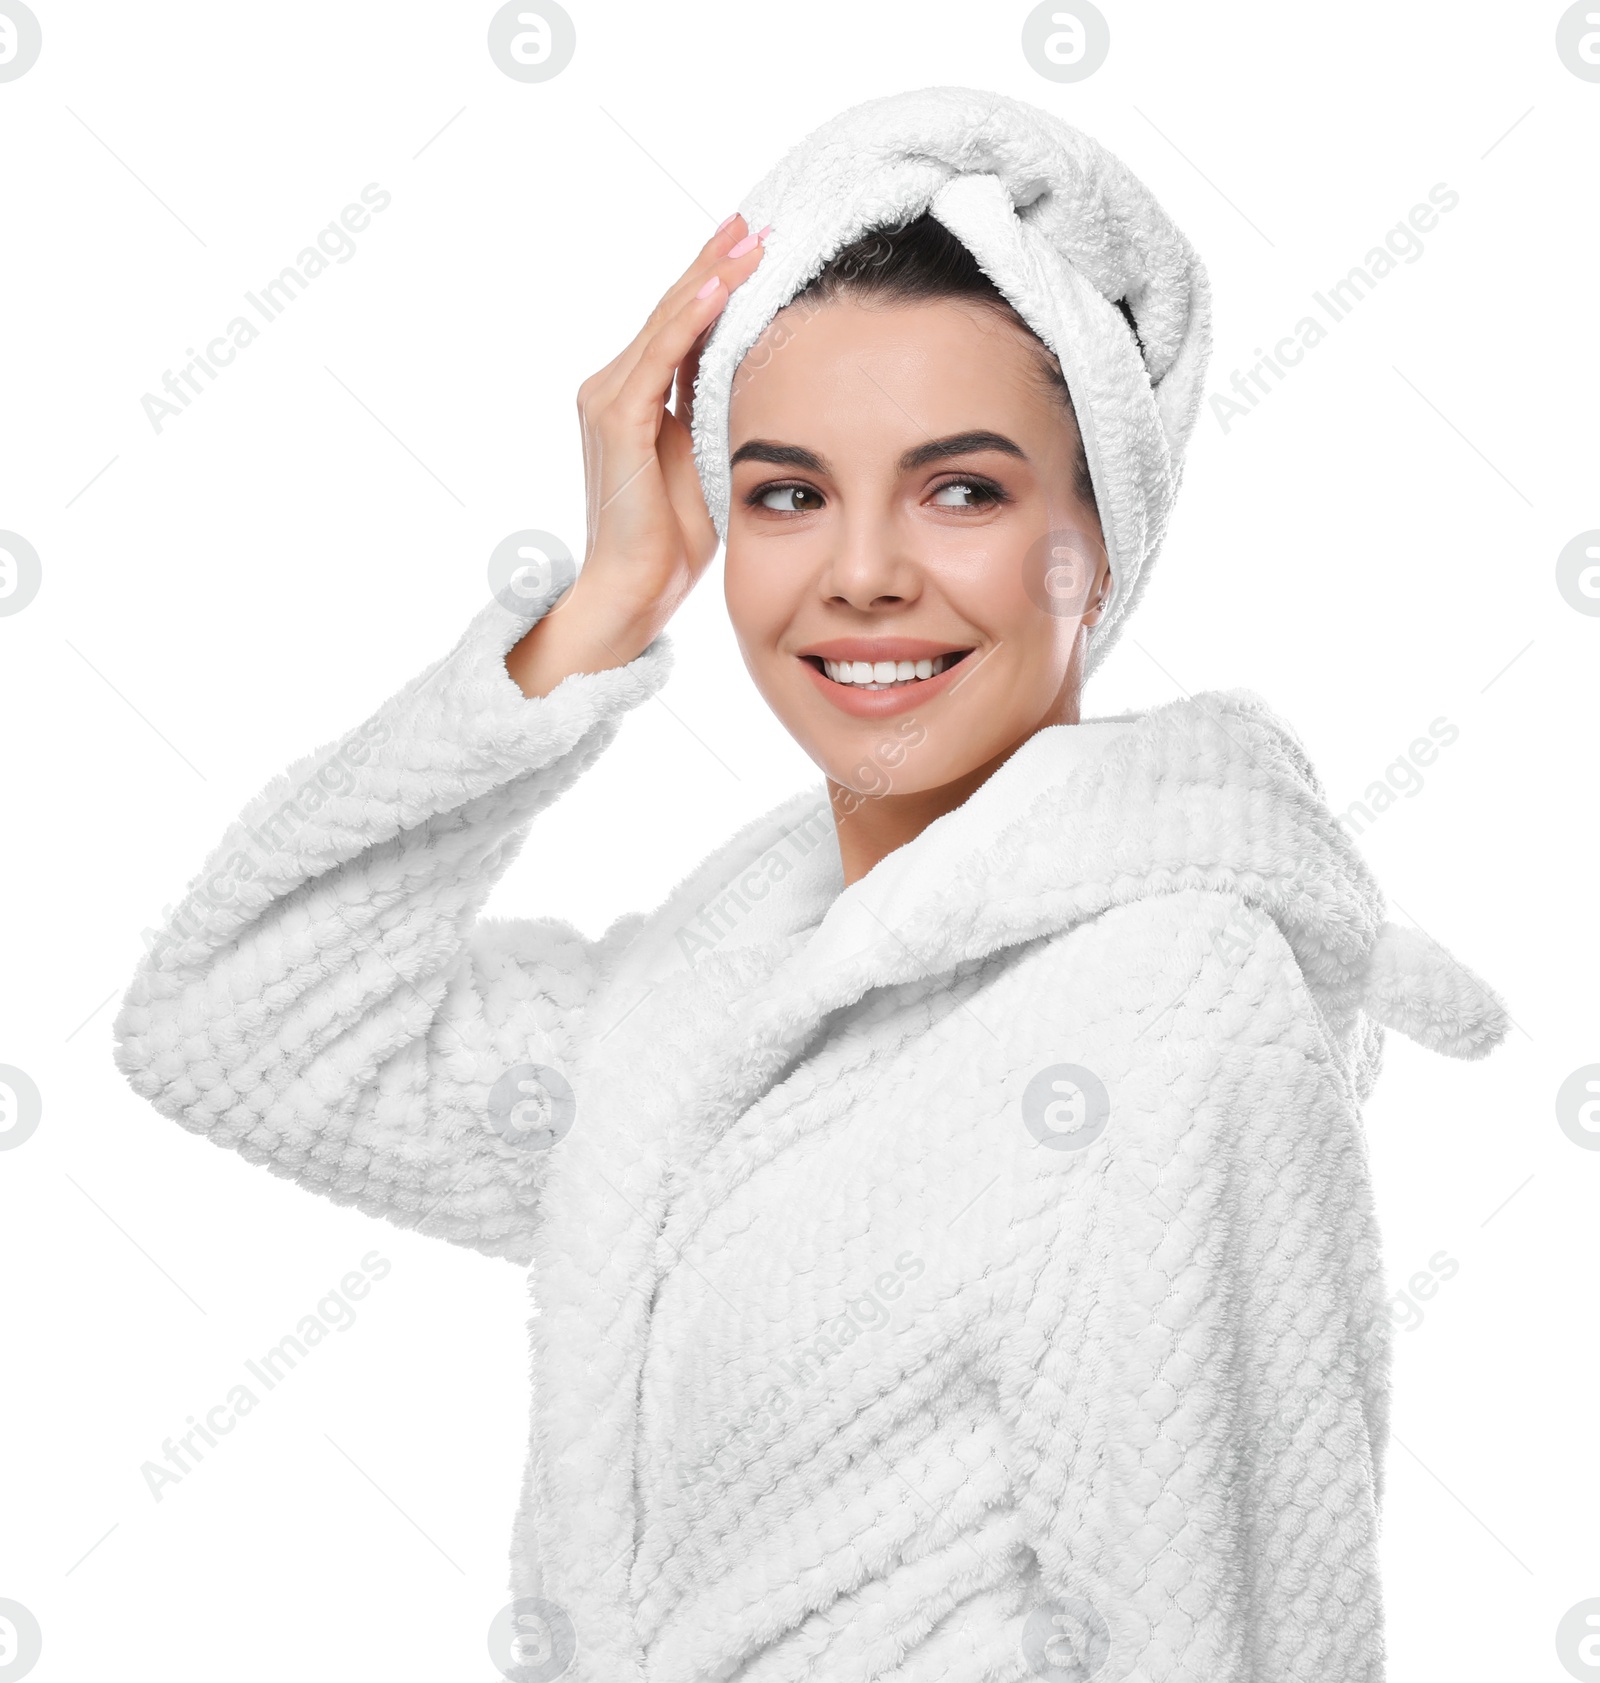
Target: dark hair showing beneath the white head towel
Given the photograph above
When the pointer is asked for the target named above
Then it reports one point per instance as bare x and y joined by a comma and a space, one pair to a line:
923, 260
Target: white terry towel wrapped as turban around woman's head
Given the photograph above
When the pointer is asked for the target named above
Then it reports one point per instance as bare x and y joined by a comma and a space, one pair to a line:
1061, 226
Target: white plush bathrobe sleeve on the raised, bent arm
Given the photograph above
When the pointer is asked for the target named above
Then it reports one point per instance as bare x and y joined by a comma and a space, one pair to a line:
327, 1001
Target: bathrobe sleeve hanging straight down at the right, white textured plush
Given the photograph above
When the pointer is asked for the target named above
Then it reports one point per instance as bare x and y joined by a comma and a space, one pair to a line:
1202, 1413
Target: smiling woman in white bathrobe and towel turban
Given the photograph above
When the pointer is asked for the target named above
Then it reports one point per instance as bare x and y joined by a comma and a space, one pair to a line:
948, 1213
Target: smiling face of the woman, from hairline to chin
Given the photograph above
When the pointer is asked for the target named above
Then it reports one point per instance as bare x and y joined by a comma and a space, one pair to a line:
904, 494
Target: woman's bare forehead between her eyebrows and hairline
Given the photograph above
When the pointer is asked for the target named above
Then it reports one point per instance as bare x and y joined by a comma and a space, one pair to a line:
881, 369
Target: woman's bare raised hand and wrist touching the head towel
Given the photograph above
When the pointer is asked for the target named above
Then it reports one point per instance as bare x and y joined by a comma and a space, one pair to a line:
650, 533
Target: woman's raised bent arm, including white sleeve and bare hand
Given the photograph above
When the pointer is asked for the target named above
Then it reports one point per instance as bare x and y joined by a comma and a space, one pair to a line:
326, 1002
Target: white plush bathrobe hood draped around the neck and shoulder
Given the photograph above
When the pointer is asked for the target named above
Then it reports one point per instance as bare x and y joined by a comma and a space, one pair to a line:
1207, 792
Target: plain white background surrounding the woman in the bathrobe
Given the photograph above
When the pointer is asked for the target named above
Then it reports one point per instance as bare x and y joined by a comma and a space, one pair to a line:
1370, 549
